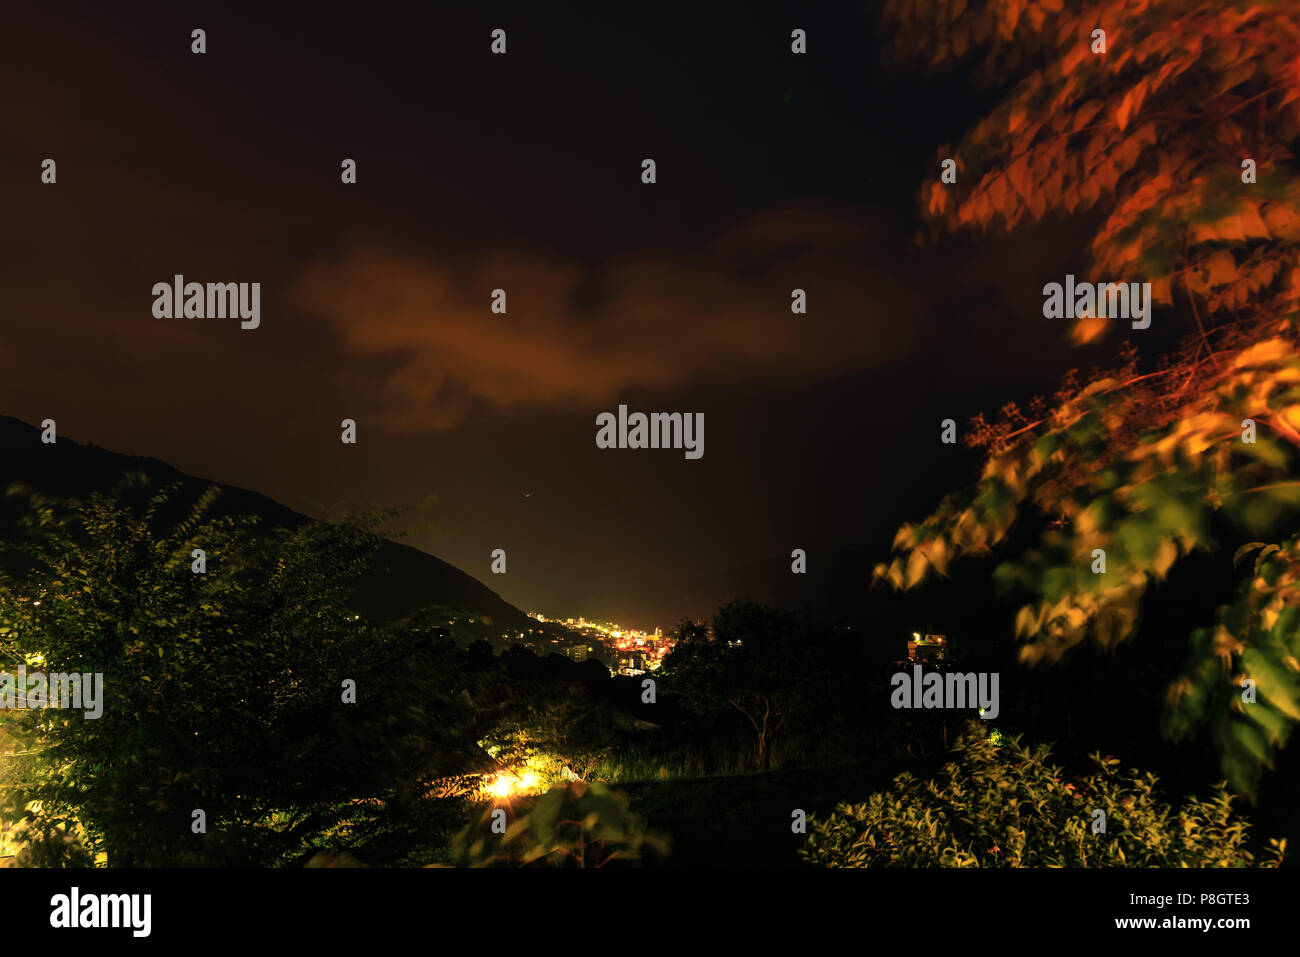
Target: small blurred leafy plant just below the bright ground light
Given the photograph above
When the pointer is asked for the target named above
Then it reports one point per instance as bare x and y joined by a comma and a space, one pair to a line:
577, 825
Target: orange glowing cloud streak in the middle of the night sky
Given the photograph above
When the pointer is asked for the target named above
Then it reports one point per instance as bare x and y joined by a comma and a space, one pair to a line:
580, 337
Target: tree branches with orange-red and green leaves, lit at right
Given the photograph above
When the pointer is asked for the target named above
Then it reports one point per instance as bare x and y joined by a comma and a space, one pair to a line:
1160, 137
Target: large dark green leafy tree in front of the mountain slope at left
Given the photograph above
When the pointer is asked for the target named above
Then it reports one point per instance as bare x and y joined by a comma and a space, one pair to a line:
223, 690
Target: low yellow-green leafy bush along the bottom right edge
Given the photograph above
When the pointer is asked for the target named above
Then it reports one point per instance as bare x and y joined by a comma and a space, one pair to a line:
1007, 807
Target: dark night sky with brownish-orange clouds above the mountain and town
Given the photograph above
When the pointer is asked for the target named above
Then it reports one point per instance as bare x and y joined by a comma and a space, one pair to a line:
519, 172
